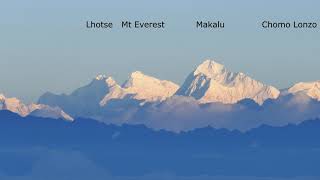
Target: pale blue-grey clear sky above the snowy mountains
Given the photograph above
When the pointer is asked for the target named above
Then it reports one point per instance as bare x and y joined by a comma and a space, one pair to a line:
45, 46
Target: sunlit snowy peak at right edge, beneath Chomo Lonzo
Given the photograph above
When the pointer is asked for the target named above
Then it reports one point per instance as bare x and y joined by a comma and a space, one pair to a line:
311, 89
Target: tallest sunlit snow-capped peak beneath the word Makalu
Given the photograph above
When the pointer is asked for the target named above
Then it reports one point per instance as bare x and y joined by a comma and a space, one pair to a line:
212, 82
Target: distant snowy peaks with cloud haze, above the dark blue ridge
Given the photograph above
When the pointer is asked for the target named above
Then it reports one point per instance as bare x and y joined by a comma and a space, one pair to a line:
210, 96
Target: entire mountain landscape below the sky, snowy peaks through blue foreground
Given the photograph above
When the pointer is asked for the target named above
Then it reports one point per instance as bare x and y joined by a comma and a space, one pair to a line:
217, 125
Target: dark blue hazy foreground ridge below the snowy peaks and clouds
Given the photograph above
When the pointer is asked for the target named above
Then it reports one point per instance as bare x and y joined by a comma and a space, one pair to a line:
293, 150
